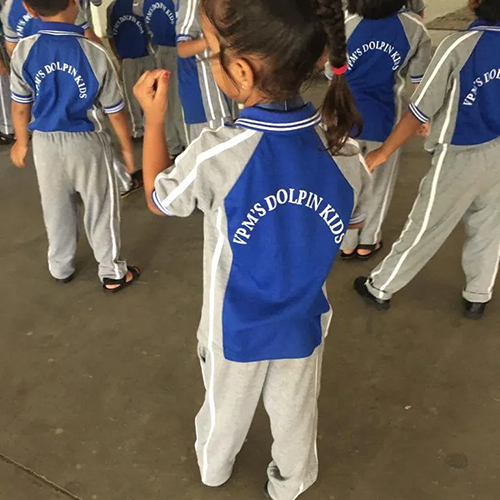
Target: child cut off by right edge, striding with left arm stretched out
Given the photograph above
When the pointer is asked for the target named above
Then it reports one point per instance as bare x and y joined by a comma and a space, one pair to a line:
460, 94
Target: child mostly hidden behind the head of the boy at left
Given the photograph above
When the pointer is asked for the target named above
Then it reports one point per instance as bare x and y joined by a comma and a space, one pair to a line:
19, 24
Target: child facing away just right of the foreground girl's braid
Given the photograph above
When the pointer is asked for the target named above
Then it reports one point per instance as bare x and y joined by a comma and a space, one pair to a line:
385, 44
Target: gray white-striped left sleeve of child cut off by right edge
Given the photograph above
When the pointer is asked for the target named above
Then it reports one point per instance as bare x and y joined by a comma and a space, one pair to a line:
436, 84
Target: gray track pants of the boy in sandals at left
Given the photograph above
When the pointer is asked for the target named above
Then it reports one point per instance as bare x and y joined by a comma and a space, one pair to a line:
73, 168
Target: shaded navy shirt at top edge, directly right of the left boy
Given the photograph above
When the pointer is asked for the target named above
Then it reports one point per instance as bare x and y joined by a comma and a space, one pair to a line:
128, 30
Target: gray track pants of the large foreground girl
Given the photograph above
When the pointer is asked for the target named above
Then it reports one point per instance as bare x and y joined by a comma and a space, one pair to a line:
290, 390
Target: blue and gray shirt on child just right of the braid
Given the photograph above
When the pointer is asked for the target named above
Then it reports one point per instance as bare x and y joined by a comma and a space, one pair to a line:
380, 55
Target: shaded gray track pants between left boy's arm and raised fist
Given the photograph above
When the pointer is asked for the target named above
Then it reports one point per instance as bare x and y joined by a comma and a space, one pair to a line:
132, 70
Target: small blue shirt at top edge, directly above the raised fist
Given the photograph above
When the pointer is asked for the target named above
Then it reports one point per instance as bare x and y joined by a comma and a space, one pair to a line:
160, 21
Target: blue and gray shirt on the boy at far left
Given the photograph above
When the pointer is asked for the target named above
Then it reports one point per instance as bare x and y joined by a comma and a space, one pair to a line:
68, 80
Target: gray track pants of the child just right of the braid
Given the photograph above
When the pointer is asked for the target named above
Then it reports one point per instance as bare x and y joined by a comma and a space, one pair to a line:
384, 180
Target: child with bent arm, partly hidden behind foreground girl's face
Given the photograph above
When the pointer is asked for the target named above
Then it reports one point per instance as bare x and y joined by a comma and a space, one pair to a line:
203, 103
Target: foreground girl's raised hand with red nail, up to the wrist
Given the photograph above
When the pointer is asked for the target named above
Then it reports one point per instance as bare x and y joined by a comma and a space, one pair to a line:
152, 93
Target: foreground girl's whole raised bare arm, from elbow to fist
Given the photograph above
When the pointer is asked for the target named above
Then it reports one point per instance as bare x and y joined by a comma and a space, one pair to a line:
152, 93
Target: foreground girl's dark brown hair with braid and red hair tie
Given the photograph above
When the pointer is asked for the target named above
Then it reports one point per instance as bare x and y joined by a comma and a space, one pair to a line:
289, 37
